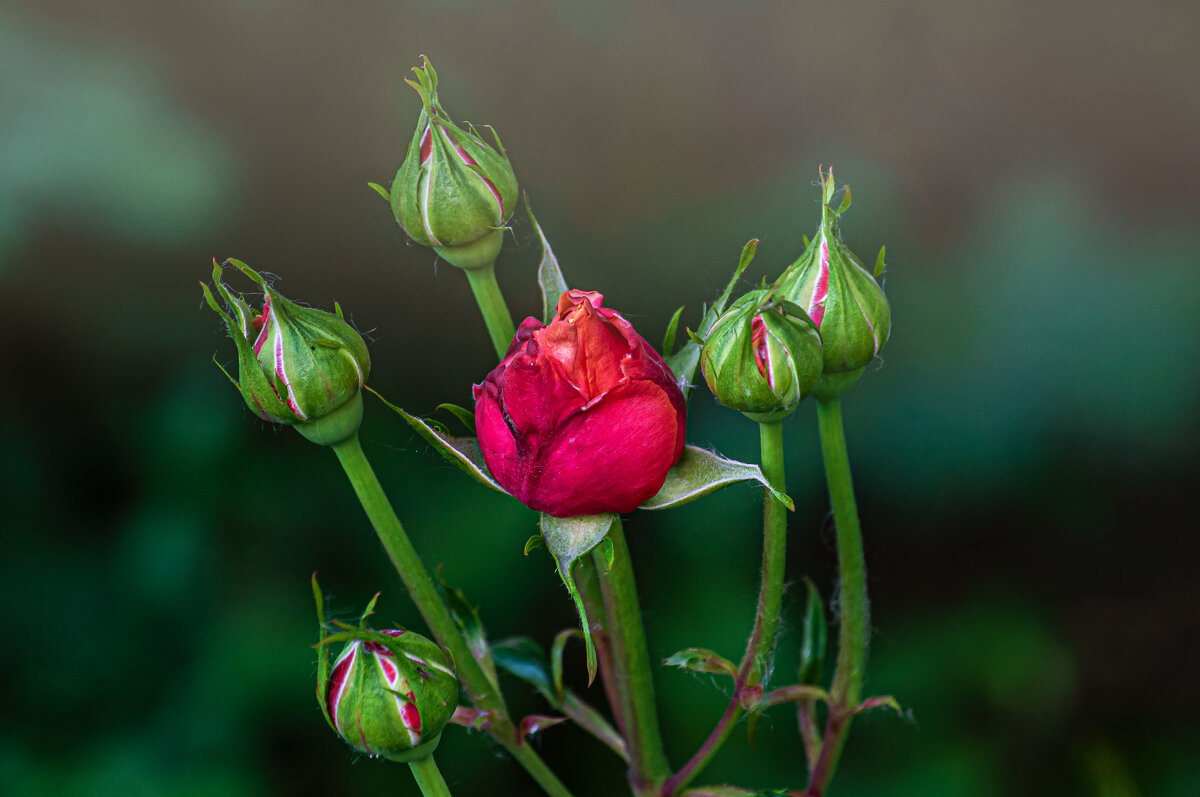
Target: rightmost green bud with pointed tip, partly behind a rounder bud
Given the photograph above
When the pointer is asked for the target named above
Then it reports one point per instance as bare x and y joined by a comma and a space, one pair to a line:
841, 296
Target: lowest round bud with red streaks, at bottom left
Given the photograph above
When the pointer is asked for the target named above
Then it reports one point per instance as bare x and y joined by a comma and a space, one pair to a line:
392, 699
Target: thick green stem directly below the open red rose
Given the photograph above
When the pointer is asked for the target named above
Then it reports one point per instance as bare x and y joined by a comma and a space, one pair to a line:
649, 764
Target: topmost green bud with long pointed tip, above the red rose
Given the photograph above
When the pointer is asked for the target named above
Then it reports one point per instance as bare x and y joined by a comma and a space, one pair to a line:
453, 193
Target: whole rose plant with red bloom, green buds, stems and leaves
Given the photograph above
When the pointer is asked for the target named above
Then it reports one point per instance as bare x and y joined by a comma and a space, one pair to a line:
583, 421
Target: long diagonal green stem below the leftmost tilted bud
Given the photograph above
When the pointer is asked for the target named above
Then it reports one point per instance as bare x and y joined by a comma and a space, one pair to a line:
484, 694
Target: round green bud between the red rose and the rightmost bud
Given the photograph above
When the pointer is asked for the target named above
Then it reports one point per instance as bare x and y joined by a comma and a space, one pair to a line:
763, 357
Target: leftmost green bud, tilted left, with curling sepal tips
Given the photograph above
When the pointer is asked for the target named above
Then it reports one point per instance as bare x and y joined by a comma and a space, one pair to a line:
296, 365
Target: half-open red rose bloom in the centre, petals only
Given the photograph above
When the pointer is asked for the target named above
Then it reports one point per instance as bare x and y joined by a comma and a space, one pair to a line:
583, 417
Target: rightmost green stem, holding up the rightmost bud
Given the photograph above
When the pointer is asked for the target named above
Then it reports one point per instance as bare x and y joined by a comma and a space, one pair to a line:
848, 682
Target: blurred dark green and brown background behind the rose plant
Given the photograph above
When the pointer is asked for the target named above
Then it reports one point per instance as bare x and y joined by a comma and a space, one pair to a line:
1027, 456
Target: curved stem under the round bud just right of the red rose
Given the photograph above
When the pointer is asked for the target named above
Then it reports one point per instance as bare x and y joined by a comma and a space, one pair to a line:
771, 594
